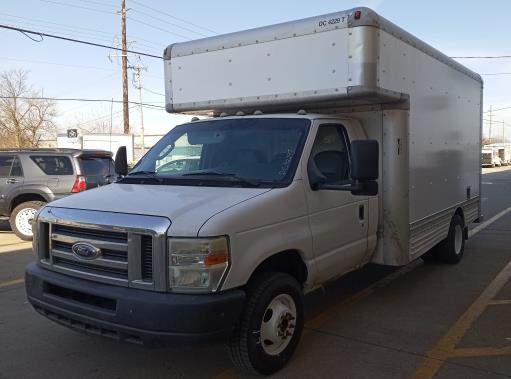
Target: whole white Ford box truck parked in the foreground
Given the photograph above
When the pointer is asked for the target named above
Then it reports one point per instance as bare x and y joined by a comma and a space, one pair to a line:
337, 141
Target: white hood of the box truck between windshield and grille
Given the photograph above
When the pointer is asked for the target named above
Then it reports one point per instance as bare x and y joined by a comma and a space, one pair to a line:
186, 207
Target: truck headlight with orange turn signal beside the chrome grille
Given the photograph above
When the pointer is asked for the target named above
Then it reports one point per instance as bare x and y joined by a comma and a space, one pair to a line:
197, 264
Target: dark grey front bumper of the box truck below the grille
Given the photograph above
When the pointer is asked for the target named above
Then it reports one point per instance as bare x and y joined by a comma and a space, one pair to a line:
140, 316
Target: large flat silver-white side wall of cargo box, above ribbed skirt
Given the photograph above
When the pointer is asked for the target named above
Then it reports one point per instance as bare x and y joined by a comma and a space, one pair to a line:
445, 108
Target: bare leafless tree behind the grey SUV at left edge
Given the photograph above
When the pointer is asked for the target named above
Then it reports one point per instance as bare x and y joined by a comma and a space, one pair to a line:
24, 116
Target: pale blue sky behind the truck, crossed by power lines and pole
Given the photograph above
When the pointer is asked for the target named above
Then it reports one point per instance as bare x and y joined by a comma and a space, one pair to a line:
62, 69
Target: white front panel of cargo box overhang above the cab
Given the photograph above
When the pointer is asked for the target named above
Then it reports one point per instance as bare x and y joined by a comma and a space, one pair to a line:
293, 65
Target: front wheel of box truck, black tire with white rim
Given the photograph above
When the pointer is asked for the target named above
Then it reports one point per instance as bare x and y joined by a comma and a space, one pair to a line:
271, 325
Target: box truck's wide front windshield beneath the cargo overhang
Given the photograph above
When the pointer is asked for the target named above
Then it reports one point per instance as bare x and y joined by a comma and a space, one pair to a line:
262, 152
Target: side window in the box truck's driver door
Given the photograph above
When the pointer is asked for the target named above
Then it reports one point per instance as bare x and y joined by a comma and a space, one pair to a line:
331, 155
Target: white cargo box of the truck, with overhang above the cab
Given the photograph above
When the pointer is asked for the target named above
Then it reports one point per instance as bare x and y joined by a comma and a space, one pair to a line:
423, 107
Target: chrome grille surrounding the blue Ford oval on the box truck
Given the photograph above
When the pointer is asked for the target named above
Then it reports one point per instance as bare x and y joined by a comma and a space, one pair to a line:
128, 253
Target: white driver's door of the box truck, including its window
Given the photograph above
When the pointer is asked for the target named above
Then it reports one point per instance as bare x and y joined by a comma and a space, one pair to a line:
338, 219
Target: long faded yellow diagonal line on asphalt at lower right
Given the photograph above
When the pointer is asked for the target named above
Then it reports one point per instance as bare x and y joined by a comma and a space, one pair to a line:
446, 347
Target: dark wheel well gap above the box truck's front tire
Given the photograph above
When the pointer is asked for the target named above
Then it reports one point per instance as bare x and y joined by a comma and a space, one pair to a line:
289, 261
